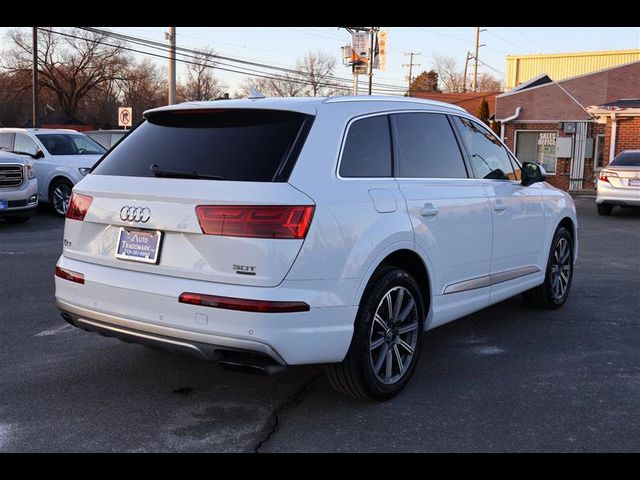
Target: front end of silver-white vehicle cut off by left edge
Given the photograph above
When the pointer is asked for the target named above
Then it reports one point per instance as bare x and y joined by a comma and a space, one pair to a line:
18, 188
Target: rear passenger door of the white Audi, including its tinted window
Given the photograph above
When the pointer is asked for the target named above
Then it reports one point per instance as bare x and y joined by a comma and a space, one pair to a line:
450, 212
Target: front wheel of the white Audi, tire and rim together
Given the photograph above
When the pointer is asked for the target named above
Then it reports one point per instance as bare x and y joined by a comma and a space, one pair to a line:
559, 274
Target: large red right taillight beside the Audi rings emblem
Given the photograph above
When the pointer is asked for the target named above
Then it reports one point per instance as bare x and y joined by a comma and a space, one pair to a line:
255, 221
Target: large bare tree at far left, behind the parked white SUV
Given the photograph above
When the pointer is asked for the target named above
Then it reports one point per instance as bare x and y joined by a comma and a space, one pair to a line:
69, 66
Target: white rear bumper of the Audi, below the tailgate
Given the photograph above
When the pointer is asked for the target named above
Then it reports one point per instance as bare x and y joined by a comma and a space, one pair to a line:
144, 308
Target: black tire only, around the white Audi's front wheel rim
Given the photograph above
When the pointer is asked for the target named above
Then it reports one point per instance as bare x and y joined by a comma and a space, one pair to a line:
545, 296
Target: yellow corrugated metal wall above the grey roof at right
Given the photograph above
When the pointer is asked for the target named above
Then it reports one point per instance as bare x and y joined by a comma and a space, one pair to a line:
559, 66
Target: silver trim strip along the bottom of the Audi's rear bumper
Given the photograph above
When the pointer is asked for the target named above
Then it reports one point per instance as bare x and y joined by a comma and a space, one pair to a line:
173, 336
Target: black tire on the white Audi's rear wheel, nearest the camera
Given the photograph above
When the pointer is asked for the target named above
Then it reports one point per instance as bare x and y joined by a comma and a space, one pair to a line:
355, 375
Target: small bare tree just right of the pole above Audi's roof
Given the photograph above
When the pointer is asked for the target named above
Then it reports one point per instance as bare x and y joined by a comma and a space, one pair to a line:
200, 83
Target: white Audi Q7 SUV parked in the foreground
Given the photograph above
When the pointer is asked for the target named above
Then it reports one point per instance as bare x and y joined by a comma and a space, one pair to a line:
270, 232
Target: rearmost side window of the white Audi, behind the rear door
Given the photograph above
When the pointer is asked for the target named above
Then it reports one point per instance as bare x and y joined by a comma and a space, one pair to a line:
367, 150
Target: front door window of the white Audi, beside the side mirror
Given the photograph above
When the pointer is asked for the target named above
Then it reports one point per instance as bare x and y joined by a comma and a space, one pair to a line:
489, 159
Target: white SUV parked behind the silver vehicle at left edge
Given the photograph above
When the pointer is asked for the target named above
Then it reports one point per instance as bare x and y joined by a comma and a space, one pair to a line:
61, 159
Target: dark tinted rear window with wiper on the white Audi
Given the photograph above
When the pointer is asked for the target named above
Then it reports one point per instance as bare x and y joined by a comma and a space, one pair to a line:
230, 144
